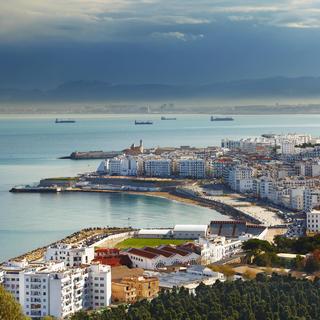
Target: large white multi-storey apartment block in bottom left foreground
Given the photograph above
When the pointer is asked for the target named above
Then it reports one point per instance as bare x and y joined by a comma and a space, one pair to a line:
53, 289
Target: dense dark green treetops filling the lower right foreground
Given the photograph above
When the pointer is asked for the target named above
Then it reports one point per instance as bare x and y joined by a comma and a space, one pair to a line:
266, 298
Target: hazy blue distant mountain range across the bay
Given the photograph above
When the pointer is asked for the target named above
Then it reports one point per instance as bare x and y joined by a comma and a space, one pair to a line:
83, 90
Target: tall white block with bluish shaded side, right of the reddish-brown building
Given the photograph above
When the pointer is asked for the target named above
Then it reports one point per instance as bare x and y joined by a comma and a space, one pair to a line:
240, 178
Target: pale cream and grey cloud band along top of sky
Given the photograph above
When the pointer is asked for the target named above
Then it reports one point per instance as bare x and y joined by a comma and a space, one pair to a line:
132, 20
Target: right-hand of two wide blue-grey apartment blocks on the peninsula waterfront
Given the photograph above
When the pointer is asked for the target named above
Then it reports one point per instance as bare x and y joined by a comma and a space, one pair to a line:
192, 168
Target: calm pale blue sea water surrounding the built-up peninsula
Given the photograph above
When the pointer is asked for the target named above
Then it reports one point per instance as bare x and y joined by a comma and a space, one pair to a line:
29, 148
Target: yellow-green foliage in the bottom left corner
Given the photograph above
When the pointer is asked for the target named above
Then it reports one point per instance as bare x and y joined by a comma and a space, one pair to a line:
10, 309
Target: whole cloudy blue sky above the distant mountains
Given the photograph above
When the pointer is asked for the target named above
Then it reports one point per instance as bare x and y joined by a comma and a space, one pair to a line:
44, 43
